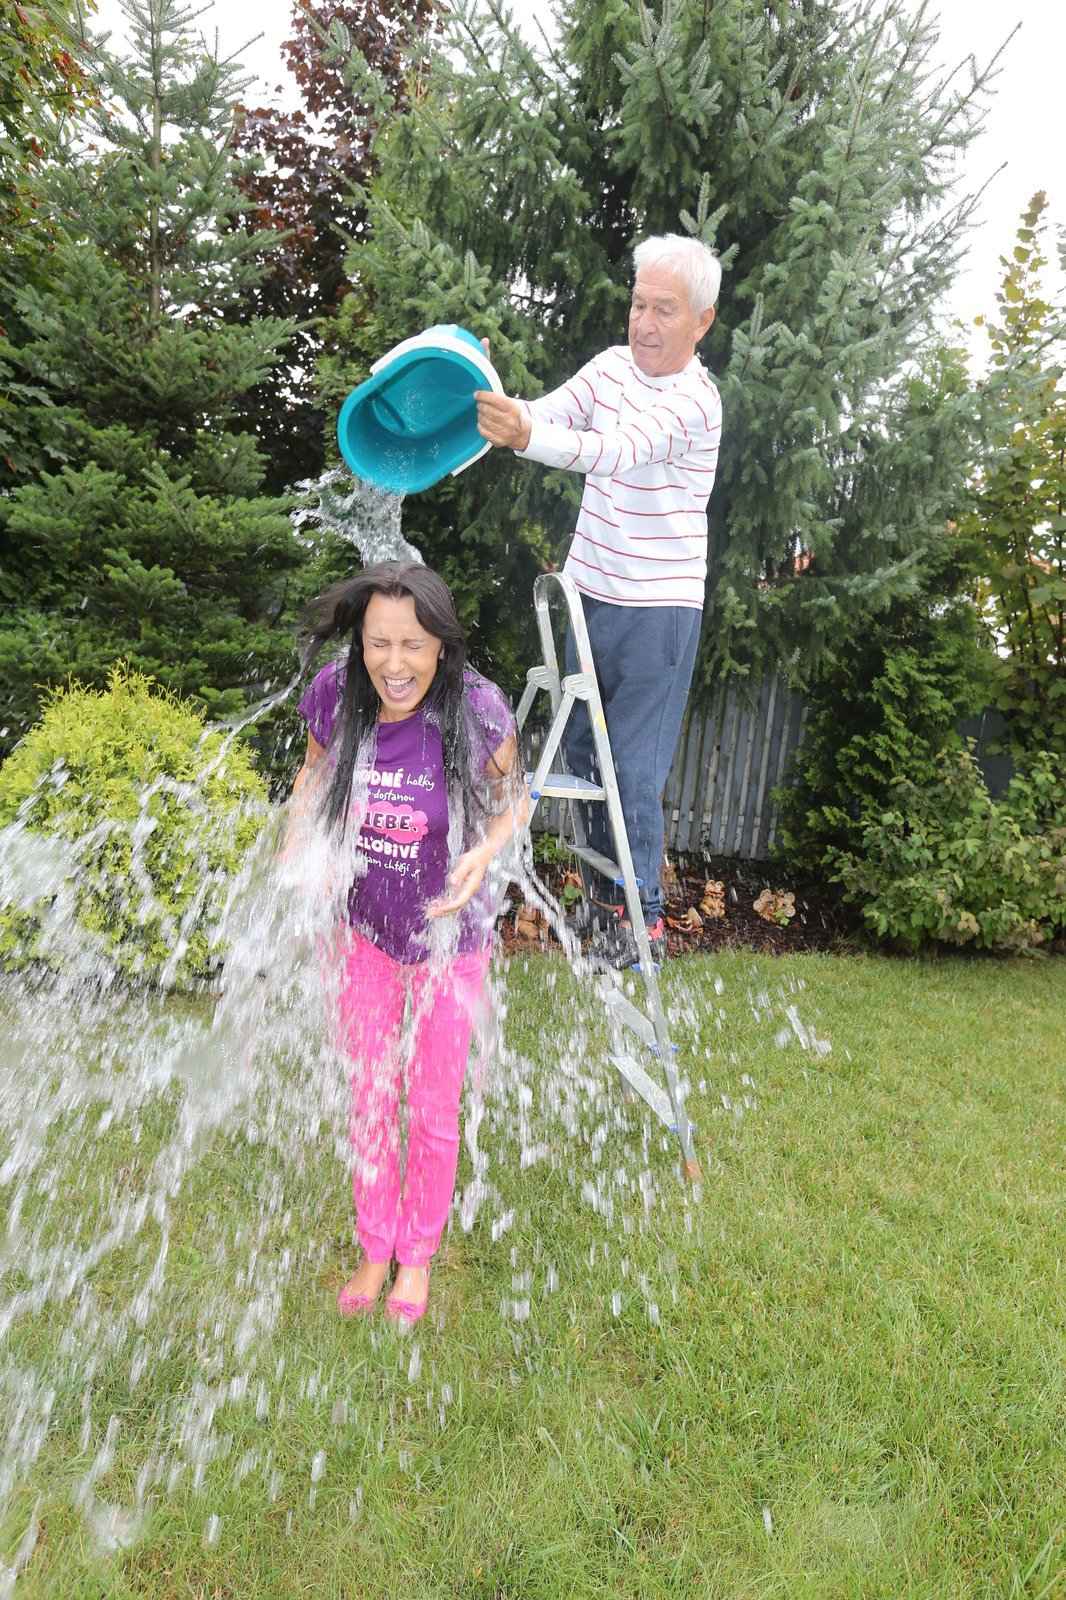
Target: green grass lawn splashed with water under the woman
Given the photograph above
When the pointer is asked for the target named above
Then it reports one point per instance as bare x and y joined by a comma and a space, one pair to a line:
838, 1370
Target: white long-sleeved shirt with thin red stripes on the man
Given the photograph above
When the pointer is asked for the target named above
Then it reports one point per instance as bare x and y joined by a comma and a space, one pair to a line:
649, 449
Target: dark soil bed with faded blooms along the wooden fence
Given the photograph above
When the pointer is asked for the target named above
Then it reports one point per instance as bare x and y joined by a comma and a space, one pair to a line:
817, 922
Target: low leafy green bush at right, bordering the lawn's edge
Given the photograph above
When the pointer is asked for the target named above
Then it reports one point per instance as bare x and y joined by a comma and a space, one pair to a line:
947, 863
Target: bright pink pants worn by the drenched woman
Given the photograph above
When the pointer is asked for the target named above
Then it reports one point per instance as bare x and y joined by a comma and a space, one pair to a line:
406, 1223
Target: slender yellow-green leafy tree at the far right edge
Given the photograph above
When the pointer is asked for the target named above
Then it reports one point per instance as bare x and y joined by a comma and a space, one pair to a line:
1017, 527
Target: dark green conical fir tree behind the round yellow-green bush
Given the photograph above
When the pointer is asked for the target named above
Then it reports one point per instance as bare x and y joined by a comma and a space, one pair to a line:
143, 535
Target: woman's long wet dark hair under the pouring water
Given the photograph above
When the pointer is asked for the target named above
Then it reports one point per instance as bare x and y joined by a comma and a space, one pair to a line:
339, 614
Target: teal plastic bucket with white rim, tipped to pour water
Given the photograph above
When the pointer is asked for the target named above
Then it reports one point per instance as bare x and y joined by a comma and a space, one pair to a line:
415, 420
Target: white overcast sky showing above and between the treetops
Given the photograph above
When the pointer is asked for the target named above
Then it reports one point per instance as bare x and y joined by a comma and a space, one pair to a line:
1024, 132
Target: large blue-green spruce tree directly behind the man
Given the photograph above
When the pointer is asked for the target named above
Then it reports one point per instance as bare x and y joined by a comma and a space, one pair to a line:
814, 146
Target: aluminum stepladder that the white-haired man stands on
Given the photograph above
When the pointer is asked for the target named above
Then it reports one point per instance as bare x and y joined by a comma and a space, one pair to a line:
633, 1031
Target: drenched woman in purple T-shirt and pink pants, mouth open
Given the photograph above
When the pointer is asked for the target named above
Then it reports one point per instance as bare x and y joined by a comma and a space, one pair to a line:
415, 751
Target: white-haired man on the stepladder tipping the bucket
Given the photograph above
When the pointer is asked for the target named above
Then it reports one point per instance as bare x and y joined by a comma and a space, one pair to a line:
643, 425
